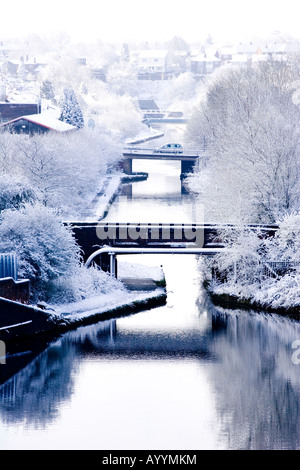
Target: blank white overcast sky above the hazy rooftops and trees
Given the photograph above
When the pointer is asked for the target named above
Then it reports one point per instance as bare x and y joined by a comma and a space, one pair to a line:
139, 20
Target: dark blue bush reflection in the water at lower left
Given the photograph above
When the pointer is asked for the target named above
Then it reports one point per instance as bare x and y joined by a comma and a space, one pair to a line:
34, 394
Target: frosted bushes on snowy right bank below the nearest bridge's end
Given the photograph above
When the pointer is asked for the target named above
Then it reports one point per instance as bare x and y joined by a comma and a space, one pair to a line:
258, 271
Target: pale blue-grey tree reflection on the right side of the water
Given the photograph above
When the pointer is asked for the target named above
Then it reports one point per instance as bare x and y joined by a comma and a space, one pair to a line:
256, 381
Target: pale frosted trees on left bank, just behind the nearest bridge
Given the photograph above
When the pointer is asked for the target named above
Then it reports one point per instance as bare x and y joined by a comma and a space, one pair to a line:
54, 165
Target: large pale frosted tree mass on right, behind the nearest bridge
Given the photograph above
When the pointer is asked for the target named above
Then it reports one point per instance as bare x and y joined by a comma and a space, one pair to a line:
251, 126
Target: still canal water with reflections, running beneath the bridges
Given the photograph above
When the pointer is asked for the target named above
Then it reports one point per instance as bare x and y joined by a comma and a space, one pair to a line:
186, 375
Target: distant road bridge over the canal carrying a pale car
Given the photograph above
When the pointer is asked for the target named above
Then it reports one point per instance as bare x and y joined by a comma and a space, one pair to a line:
188, 158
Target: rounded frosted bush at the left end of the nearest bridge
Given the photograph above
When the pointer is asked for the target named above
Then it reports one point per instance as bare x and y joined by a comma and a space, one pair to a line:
45, 248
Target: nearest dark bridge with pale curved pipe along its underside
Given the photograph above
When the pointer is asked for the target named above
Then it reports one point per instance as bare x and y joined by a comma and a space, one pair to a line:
102, 242
